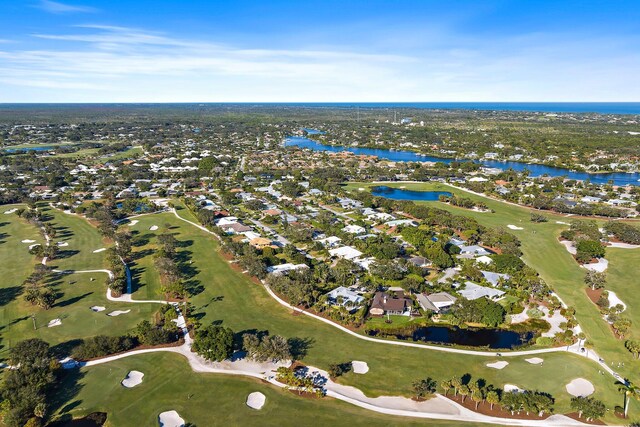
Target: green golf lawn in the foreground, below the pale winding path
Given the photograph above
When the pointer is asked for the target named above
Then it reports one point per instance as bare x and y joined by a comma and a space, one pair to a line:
204, 399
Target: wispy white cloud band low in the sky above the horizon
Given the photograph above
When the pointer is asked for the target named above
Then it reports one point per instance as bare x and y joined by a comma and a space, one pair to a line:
98, 63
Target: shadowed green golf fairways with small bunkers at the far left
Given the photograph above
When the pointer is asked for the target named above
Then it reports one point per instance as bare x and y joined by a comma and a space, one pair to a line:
76, 293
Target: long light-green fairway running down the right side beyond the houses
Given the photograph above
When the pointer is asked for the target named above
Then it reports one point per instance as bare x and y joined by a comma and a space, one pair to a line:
555, 265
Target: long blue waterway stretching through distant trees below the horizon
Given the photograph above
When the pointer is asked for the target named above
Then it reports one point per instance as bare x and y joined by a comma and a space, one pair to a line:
618, 178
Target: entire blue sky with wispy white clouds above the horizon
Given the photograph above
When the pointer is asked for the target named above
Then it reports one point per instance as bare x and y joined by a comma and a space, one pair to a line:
318, 51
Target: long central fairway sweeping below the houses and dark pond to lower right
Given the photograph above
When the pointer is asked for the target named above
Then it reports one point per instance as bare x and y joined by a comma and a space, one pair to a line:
230, 297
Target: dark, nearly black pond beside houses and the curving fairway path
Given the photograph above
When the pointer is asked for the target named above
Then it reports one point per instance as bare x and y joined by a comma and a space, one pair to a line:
492, 338
